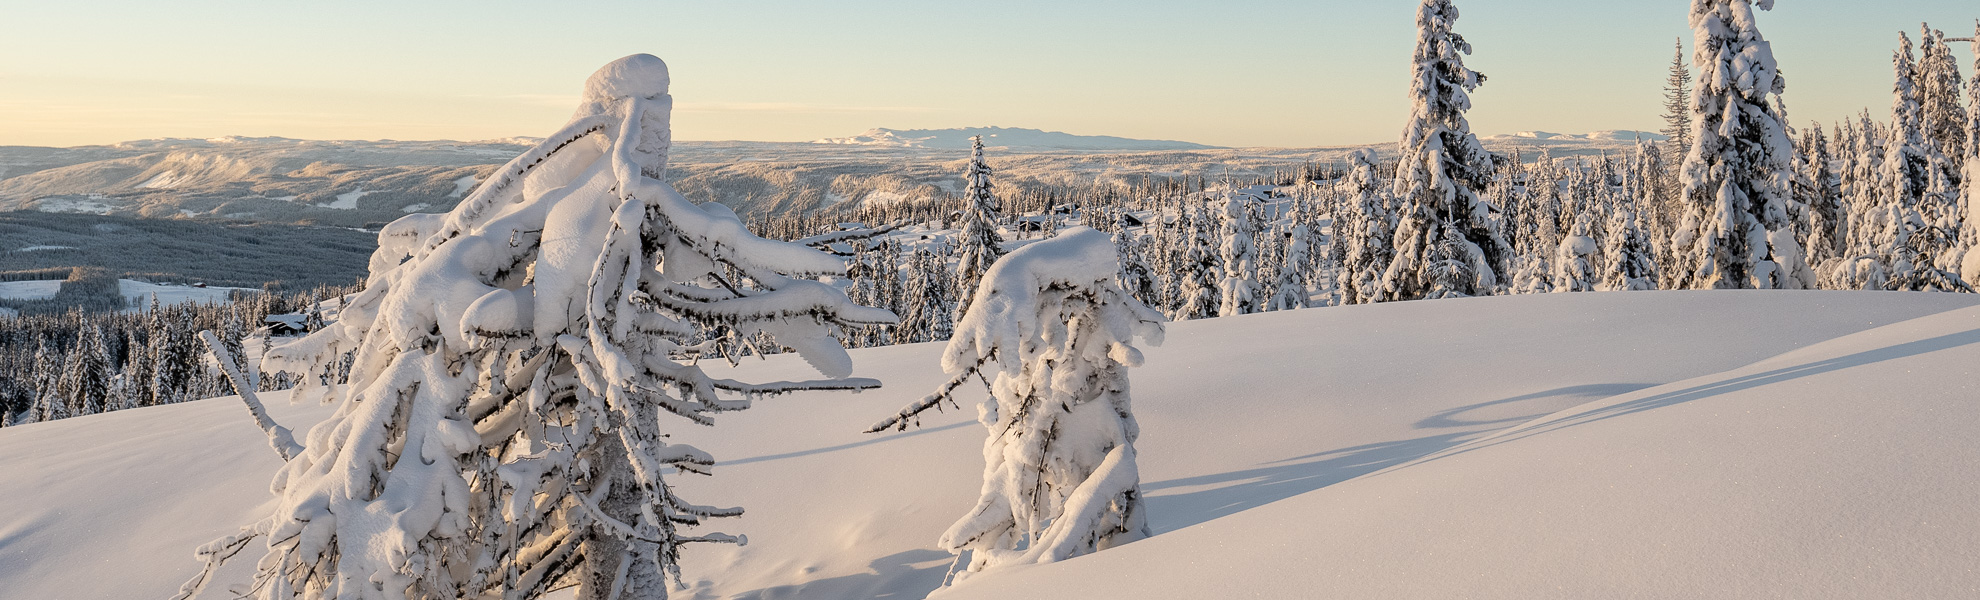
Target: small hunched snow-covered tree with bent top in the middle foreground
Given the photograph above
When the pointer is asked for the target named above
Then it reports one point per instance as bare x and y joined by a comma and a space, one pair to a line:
1056, 336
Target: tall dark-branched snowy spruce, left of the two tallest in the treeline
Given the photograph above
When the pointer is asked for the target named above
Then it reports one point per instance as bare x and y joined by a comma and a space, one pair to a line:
1440, 173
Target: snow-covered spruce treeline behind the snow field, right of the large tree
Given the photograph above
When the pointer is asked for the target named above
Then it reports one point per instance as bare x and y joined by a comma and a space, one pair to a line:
1745, 203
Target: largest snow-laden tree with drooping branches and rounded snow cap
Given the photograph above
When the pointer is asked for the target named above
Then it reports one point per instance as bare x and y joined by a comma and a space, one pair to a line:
502, 433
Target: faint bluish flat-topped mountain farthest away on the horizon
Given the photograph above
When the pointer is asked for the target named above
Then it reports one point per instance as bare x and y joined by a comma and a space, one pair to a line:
1009, 138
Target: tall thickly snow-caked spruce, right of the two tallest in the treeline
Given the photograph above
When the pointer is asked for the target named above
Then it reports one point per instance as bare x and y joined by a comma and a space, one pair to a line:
1739, 169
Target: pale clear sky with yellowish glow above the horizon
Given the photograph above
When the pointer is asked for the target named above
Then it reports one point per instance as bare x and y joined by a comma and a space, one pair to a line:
1229, 72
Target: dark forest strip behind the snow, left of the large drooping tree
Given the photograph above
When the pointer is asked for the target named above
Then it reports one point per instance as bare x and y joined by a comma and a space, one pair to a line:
84, 363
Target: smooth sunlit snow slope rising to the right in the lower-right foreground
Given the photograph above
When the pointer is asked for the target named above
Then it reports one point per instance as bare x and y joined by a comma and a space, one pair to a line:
1840, 470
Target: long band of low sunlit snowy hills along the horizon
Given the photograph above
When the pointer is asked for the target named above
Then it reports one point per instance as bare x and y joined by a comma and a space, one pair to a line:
369, 183
